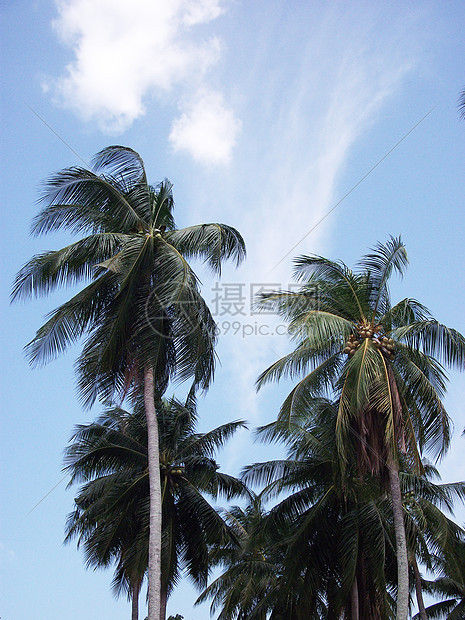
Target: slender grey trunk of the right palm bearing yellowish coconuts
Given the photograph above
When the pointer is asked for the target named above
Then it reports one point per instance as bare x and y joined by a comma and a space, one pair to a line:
401, 541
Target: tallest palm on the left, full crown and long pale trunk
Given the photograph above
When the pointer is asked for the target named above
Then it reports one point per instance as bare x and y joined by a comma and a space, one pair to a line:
142, 313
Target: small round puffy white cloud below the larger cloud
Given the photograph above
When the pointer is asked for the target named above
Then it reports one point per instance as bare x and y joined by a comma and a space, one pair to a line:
206, 130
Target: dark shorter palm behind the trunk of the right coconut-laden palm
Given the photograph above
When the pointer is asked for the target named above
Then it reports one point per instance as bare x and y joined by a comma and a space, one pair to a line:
336, 528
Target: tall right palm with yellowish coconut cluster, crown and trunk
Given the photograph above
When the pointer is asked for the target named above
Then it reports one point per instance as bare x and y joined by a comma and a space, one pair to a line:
378, 360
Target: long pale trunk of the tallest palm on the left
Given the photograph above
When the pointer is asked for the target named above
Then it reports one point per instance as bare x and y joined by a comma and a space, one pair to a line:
154, 571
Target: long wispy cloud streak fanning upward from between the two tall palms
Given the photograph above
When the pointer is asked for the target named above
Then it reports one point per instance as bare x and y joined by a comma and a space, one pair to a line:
289, 174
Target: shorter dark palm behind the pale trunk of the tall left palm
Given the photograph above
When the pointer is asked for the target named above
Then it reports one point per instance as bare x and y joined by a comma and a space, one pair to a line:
111, 515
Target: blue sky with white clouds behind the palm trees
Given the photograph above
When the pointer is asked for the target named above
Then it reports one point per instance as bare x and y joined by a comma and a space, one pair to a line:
263, 115
